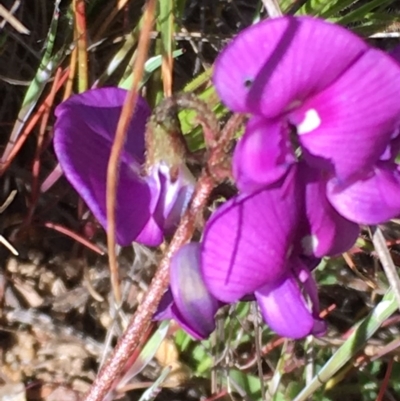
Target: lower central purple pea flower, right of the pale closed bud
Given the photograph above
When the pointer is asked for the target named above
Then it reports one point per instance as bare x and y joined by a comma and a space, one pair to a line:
262, 244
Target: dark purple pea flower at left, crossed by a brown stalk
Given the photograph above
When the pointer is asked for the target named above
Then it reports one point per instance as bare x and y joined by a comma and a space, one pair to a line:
147, 206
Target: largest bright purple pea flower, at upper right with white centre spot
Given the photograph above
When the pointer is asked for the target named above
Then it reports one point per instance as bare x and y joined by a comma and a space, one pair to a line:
317, 93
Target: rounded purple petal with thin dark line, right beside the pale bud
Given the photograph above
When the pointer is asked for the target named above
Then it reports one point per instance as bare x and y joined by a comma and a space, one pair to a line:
247, 241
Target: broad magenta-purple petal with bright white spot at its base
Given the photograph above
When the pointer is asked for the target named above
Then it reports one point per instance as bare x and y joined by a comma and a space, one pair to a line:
352, 121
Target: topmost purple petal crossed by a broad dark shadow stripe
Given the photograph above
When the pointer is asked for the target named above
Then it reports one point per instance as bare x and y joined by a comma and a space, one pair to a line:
277, 64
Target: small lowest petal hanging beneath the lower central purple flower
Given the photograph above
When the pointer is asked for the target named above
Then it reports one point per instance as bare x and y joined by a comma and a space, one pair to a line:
285, 310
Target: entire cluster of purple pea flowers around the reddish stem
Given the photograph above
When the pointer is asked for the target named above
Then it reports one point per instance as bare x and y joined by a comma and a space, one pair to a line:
316, 160
